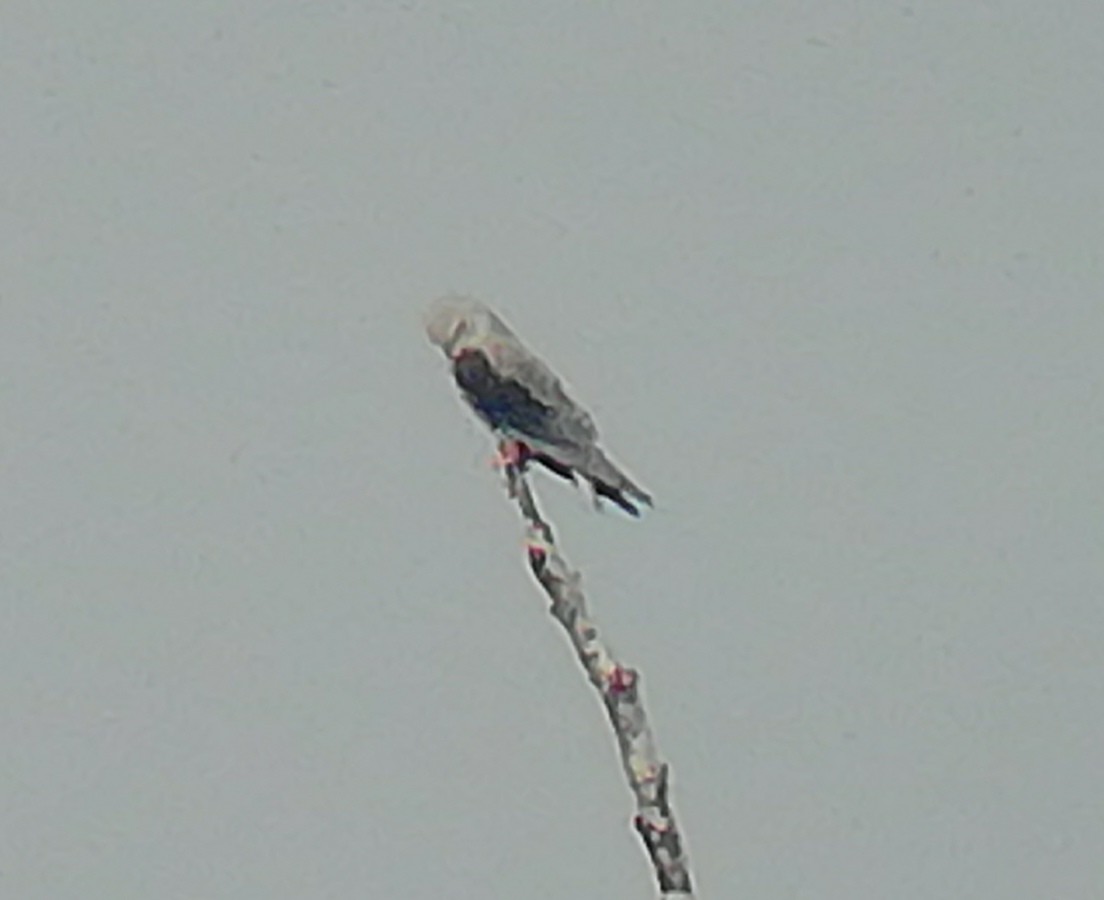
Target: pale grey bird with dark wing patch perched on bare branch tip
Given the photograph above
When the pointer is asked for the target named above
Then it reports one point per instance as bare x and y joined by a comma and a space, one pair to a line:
523, 401
